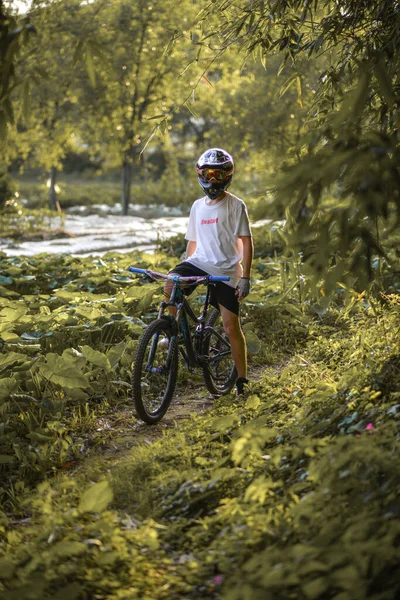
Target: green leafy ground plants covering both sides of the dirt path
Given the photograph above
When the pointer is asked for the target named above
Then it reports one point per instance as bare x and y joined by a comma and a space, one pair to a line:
290, 493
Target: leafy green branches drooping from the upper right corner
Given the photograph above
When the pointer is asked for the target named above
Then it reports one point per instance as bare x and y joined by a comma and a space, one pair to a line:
350, 144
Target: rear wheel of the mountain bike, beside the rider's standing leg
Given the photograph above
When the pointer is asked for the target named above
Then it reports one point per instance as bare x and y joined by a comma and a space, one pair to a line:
219, 375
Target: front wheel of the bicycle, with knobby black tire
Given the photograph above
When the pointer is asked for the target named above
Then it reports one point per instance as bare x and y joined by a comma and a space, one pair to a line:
155, 371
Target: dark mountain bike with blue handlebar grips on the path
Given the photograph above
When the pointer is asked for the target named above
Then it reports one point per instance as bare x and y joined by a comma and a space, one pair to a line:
202, 346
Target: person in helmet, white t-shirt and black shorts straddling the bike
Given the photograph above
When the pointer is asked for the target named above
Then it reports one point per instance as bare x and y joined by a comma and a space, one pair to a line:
219, 240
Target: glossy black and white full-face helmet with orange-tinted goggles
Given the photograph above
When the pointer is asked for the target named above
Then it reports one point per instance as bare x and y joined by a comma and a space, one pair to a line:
215, 168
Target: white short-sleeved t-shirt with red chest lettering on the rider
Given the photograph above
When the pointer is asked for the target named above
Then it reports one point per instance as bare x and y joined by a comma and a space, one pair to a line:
216, 229
